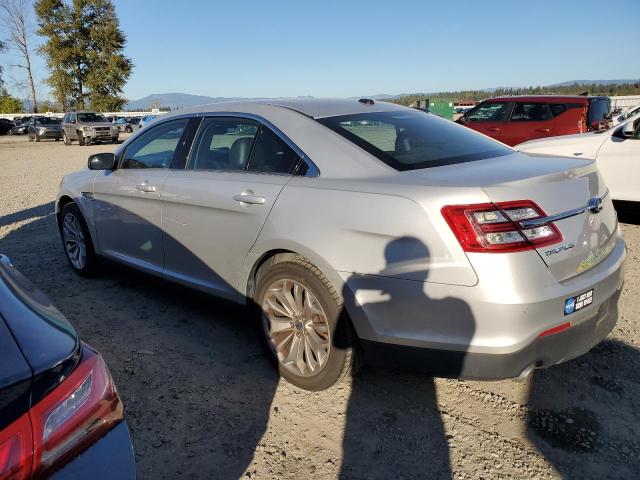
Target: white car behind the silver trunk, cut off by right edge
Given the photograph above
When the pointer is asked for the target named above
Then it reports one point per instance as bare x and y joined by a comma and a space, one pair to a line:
616, 151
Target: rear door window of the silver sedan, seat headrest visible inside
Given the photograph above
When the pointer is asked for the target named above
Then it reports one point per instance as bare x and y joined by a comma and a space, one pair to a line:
223, 143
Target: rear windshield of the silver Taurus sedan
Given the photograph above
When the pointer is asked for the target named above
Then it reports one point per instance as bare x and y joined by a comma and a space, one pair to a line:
413, 140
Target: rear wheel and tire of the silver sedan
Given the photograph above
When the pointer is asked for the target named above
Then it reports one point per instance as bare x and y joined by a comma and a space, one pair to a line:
305, 329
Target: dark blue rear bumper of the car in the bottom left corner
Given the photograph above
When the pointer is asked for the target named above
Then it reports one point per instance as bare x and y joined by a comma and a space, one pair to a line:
111, 457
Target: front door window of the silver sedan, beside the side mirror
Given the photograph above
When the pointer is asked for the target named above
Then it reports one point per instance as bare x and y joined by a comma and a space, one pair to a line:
156, 147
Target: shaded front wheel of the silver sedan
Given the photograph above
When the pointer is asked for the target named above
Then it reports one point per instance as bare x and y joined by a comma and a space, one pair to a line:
76, 241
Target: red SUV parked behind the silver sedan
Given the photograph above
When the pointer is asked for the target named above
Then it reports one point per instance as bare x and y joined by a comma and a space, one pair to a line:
513, 120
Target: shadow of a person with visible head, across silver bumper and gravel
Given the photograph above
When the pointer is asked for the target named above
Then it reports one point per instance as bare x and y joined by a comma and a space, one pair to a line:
393, 427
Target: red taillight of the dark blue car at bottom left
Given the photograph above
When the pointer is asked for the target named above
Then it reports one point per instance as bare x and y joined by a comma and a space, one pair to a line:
75, 414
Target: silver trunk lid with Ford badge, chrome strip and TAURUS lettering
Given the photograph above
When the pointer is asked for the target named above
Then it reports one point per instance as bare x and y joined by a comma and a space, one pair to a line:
588, 235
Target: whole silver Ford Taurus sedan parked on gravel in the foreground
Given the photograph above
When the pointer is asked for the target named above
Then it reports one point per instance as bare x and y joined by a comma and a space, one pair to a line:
361, 229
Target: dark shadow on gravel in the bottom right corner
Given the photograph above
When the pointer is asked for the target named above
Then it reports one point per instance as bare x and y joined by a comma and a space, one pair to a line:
584, 415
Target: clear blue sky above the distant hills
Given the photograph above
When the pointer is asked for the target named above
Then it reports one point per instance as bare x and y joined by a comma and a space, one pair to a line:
346, 48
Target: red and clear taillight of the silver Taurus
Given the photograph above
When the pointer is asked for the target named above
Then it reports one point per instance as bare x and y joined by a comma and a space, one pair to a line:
495, 227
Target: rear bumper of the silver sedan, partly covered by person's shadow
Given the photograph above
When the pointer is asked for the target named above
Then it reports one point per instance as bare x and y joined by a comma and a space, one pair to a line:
491, 330
